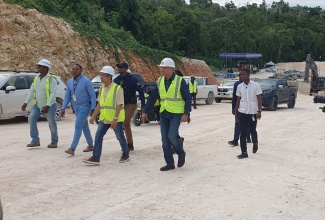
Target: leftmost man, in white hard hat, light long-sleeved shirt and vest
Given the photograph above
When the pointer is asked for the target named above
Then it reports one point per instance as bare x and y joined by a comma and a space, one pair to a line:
43, 92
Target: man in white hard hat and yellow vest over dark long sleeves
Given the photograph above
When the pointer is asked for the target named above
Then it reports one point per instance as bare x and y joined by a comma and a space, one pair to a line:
175, 106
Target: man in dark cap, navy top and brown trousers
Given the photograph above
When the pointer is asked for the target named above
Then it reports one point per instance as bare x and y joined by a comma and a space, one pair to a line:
130, 85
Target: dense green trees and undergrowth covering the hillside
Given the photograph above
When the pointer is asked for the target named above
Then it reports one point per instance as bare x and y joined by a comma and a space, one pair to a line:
196, 29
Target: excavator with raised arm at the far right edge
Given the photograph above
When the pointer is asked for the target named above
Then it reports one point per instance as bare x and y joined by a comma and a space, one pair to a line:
317, 83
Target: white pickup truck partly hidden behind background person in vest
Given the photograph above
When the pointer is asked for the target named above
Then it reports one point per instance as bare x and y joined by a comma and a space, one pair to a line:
205, 92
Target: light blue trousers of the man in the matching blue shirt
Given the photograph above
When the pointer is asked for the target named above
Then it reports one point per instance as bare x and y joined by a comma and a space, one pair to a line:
81, 125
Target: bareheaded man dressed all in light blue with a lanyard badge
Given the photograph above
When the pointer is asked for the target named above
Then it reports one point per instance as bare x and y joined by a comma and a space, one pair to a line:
80, 92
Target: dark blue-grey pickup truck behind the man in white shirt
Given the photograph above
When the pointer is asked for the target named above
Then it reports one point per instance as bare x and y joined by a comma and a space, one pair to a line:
277, 91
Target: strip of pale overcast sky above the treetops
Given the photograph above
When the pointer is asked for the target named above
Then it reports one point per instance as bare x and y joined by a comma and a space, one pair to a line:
308, 3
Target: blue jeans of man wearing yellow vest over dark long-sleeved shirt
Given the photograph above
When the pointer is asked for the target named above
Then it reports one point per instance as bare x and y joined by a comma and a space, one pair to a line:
169, 125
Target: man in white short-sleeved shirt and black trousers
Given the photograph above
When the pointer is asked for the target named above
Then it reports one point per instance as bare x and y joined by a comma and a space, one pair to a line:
248, 110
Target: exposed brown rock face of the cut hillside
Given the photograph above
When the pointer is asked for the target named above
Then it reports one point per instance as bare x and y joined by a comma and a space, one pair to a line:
26, 36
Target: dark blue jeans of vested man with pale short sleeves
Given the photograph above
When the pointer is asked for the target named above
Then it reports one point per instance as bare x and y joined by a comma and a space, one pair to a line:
100, 133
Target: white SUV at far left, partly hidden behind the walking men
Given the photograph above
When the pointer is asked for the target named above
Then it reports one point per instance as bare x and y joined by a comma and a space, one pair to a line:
14, 88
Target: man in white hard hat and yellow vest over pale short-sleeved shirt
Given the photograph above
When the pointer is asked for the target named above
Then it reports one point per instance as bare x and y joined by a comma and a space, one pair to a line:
112, 115
